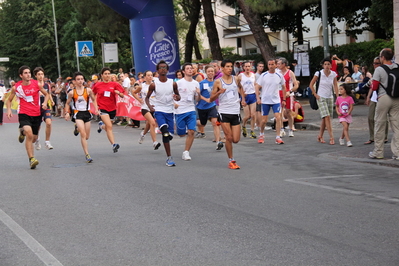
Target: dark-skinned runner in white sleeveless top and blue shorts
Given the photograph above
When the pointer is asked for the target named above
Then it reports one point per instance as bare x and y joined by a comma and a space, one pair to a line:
165, 92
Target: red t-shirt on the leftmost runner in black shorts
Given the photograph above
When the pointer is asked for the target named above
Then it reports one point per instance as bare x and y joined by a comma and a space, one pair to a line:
29, 103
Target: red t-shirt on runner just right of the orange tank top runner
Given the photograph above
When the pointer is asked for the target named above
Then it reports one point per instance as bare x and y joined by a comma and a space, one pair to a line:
106, 96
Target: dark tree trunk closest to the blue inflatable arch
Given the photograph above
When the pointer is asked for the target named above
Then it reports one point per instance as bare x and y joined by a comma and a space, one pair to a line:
194, 18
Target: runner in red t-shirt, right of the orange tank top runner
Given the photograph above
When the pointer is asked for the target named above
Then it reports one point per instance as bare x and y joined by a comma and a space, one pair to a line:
106, 92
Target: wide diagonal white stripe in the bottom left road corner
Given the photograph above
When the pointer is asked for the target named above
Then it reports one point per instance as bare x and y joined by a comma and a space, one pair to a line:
29, 241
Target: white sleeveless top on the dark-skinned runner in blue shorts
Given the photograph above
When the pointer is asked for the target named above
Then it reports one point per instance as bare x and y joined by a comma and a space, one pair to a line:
164, 96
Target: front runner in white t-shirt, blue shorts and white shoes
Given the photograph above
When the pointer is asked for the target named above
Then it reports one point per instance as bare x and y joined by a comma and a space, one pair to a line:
186, 118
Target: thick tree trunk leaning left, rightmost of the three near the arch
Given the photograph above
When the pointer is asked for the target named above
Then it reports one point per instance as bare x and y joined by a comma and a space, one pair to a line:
256, 26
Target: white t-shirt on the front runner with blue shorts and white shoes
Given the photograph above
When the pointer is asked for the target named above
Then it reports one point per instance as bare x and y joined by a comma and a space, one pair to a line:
187, 90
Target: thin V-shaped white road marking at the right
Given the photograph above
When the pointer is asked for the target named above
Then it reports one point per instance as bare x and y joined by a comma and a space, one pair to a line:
304, 181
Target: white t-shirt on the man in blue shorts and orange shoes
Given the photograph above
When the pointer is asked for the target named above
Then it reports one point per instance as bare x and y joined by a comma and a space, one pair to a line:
271, 84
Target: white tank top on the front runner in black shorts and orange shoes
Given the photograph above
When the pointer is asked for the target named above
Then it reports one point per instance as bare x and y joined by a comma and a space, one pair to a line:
229, 101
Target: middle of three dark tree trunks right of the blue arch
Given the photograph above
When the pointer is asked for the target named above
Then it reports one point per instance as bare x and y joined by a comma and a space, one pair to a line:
211, 30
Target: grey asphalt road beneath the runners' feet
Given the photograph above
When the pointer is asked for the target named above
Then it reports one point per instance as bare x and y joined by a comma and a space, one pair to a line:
301, 203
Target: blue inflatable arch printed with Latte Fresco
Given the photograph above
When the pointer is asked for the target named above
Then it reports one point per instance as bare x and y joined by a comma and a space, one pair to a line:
153, 32
